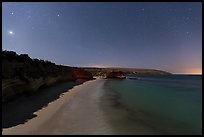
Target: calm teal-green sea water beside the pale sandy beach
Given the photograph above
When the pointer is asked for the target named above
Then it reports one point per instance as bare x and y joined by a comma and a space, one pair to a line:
155, 104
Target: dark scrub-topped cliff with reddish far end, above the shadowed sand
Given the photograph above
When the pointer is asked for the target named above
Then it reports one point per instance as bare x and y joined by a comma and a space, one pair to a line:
23, 75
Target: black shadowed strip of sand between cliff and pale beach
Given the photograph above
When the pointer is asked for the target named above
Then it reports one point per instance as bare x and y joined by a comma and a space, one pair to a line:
22, 109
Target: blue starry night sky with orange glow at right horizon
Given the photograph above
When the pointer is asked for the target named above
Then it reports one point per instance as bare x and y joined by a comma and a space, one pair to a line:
164, 36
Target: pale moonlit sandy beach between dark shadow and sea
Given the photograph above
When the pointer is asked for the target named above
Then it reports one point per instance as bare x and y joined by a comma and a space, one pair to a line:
75, 112
